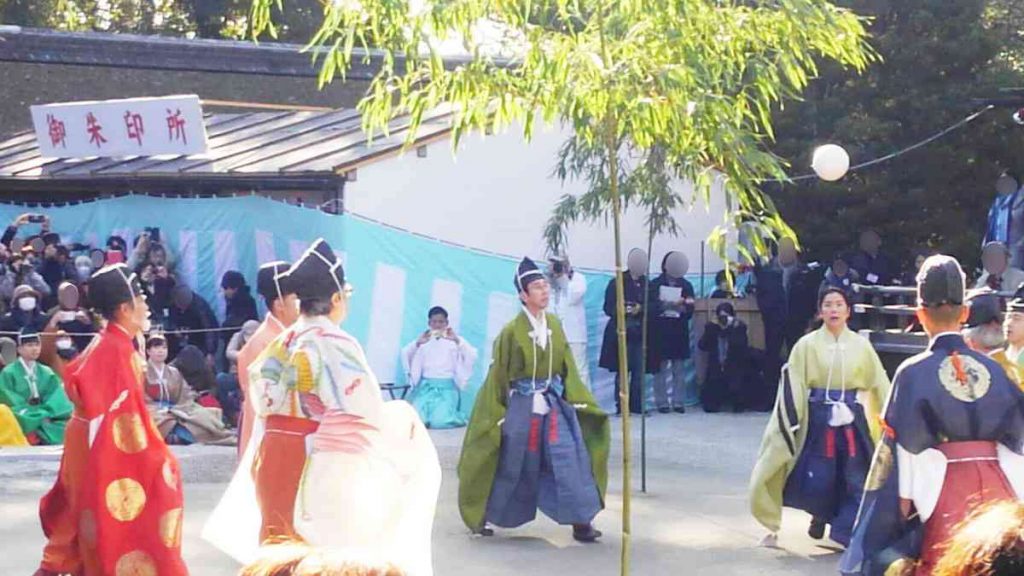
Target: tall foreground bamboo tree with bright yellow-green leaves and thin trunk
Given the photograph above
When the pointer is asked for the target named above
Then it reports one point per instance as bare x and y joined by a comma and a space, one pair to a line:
699, 77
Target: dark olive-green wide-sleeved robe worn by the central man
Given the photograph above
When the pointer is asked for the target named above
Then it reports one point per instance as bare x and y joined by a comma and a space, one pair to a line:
514, 360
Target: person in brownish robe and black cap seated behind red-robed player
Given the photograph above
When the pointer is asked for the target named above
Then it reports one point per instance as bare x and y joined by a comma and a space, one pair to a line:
173, 404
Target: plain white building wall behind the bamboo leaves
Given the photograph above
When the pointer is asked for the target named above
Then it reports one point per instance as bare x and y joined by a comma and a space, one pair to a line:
497, 195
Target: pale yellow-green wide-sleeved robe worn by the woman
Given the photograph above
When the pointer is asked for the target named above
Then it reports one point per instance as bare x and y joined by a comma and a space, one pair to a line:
855, 367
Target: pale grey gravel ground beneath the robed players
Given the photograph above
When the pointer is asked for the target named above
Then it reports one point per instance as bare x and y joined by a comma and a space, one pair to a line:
693, 520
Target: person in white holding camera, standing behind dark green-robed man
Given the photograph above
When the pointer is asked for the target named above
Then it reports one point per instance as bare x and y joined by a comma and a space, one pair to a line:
569, 289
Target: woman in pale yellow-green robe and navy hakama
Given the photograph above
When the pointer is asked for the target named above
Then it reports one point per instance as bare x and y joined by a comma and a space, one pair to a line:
826, 366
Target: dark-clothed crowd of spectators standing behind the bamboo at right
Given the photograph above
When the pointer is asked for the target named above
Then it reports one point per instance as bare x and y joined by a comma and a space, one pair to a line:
741, 375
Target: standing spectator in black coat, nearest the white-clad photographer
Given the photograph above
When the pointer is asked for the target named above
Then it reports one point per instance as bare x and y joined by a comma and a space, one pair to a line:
635, 285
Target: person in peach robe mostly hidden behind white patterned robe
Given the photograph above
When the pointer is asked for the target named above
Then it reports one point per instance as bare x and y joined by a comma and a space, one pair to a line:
283, 307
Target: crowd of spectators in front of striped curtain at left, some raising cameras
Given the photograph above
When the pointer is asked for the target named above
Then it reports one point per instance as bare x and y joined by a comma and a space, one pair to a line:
45, 289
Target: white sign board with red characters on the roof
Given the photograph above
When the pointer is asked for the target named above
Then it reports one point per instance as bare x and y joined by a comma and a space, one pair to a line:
117, 129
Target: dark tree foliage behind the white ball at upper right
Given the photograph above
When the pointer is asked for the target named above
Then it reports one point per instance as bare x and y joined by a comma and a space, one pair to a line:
937, 56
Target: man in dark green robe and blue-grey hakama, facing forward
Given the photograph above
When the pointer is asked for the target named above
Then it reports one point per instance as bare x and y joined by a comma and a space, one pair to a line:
537, 438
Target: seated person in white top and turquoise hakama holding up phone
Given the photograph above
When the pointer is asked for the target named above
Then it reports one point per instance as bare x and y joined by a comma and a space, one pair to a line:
439, 365
